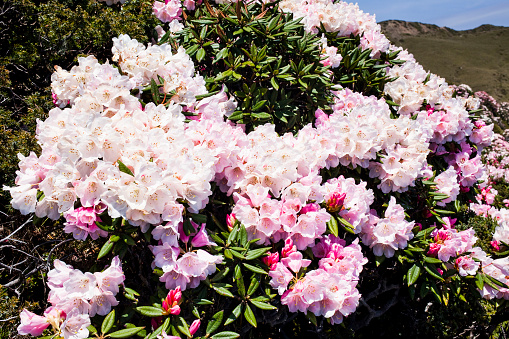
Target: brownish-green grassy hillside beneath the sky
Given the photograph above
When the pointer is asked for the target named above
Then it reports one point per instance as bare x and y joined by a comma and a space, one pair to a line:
478, 57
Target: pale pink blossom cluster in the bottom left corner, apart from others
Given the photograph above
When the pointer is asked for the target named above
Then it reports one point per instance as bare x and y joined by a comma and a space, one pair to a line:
75, 297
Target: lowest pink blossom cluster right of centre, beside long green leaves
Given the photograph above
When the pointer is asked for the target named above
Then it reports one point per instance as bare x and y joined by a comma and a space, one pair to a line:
330, 290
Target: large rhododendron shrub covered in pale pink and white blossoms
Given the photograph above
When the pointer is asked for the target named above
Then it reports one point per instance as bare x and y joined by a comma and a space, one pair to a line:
265, 156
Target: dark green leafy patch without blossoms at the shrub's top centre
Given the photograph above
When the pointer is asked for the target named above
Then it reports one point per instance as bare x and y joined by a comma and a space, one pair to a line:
253, 56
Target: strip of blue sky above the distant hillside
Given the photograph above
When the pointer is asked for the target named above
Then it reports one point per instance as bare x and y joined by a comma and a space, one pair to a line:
456, 14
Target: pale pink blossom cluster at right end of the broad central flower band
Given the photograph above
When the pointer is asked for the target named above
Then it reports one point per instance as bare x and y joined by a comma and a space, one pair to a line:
361, 132
